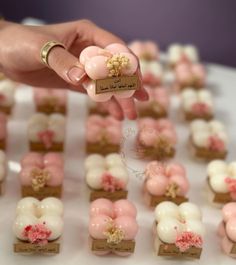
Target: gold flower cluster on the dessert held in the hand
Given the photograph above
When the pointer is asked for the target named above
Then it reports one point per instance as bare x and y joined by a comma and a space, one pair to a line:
116, 63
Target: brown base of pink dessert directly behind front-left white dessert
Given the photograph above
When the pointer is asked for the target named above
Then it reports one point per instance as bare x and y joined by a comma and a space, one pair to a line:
28, 191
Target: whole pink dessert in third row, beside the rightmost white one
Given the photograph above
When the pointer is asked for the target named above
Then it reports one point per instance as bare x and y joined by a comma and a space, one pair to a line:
156, 139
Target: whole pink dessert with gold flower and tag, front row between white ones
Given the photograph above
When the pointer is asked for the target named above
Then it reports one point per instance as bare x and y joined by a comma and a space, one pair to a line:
112, 227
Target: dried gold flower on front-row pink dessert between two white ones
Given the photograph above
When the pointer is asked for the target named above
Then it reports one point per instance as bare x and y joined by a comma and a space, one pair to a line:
114, 234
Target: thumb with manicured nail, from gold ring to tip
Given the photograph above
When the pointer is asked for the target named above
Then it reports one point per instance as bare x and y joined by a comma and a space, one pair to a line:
66, 65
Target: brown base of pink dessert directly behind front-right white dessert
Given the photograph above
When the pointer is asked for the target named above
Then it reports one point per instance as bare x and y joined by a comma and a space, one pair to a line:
153, 201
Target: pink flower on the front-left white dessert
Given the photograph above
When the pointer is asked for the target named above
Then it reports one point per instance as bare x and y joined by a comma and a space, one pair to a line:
37, 234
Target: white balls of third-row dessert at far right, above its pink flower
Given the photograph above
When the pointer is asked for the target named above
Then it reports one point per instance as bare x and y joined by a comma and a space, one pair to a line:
201, 130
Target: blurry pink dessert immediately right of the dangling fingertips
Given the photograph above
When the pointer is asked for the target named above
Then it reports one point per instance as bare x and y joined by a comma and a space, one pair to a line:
158, 104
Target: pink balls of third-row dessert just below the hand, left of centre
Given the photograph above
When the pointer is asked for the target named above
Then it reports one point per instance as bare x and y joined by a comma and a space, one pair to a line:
103, 128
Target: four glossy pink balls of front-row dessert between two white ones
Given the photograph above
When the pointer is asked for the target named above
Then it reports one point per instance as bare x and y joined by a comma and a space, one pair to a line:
120, 216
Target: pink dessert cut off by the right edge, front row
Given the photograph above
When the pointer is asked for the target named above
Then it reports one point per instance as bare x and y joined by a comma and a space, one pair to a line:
227, 229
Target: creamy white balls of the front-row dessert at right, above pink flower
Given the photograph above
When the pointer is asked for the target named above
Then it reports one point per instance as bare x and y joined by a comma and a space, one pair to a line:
172, 220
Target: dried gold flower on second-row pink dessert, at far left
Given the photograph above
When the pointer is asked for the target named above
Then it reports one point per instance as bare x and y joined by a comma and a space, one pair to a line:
39, 178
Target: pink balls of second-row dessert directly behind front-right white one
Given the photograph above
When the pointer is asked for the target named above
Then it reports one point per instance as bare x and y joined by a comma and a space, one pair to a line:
160, 176
